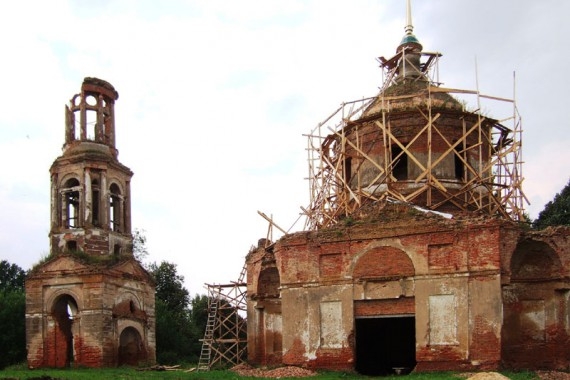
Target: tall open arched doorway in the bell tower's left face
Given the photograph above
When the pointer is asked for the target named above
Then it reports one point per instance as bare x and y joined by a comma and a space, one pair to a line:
63, 311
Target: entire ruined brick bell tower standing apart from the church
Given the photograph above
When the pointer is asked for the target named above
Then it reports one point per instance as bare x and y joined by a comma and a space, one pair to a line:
90, 303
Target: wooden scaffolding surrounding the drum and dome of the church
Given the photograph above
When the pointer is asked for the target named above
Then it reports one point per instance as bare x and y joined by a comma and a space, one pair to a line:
493, 185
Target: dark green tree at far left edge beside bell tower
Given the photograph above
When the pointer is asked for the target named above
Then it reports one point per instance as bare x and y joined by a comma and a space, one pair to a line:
12, 314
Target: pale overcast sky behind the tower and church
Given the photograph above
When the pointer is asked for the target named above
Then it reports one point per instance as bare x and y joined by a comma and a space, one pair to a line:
214, 97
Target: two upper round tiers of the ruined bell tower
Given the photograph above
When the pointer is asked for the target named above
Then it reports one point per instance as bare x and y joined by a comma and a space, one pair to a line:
90, 188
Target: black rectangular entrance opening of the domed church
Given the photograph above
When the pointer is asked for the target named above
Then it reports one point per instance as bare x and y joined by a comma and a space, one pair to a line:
385, 345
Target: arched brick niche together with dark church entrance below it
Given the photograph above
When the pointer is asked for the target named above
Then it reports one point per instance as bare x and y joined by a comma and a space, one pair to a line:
385, 323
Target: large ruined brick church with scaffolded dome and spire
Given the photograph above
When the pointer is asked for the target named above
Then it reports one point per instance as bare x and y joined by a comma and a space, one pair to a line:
414, 256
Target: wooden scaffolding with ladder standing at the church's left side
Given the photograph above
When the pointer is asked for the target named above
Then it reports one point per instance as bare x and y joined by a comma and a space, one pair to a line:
225, 338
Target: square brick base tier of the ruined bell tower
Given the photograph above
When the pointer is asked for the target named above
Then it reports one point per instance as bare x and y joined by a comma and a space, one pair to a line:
93, 331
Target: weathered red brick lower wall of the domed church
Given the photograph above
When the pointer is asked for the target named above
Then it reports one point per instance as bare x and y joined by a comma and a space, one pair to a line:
394, 264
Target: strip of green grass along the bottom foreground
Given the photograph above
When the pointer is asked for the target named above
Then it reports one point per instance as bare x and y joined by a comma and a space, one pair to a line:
22, 372
